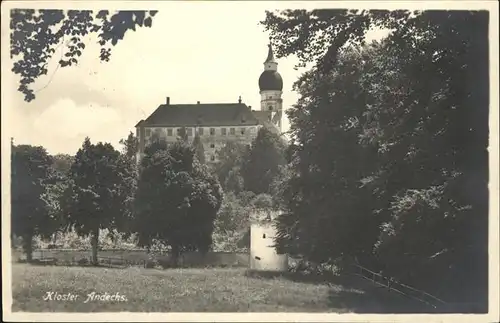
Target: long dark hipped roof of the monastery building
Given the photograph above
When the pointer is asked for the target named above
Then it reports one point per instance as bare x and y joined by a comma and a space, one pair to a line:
210, 114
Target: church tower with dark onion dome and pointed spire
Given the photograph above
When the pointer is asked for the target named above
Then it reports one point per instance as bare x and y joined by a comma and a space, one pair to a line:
271, 89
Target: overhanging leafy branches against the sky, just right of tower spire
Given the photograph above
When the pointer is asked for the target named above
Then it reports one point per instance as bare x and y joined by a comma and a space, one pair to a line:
318, 36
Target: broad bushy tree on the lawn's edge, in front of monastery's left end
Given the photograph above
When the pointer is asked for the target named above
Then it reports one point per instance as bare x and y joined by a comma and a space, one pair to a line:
177, 199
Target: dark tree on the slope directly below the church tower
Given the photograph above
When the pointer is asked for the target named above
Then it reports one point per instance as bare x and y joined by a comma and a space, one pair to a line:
262, 164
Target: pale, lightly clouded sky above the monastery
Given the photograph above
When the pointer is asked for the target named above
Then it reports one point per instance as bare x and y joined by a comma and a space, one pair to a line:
207, 52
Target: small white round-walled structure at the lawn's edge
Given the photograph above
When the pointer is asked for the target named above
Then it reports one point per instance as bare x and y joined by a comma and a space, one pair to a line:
263, 254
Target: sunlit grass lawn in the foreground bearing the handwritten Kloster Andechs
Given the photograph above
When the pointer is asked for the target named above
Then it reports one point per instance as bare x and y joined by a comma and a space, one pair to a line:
193, 290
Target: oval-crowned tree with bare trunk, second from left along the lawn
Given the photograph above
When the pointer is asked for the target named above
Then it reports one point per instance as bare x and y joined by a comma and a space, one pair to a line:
96, 198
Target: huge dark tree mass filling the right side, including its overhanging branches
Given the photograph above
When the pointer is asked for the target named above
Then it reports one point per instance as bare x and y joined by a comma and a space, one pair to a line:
389, 158
